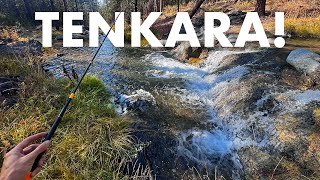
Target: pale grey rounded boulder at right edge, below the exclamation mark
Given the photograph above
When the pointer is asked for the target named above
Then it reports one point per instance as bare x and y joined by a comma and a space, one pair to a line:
304, 60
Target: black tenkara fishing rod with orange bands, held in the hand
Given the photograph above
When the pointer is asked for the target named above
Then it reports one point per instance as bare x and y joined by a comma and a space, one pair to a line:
65, 107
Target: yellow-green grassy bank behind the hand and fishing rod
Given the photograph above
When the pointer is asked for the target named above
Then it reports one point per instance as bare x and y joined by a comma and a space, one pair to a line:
91, 142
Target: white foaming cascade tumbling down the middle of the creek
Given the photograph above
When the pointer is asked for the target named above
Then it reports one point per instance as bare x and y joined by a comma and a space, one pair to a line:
206, 88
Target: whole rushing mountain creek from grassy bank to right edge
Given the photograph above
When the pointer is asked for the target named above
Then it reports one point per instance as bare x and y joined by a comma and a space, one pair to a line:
237, 114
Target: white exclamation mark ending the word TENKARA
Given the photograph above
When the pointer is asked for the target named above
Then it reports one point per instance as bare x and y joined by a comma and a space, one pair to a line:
279, 42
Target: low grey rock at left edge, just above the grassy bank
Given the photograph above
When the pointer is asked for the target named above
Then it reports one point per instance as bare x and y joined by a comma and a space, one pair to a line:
21, 48
